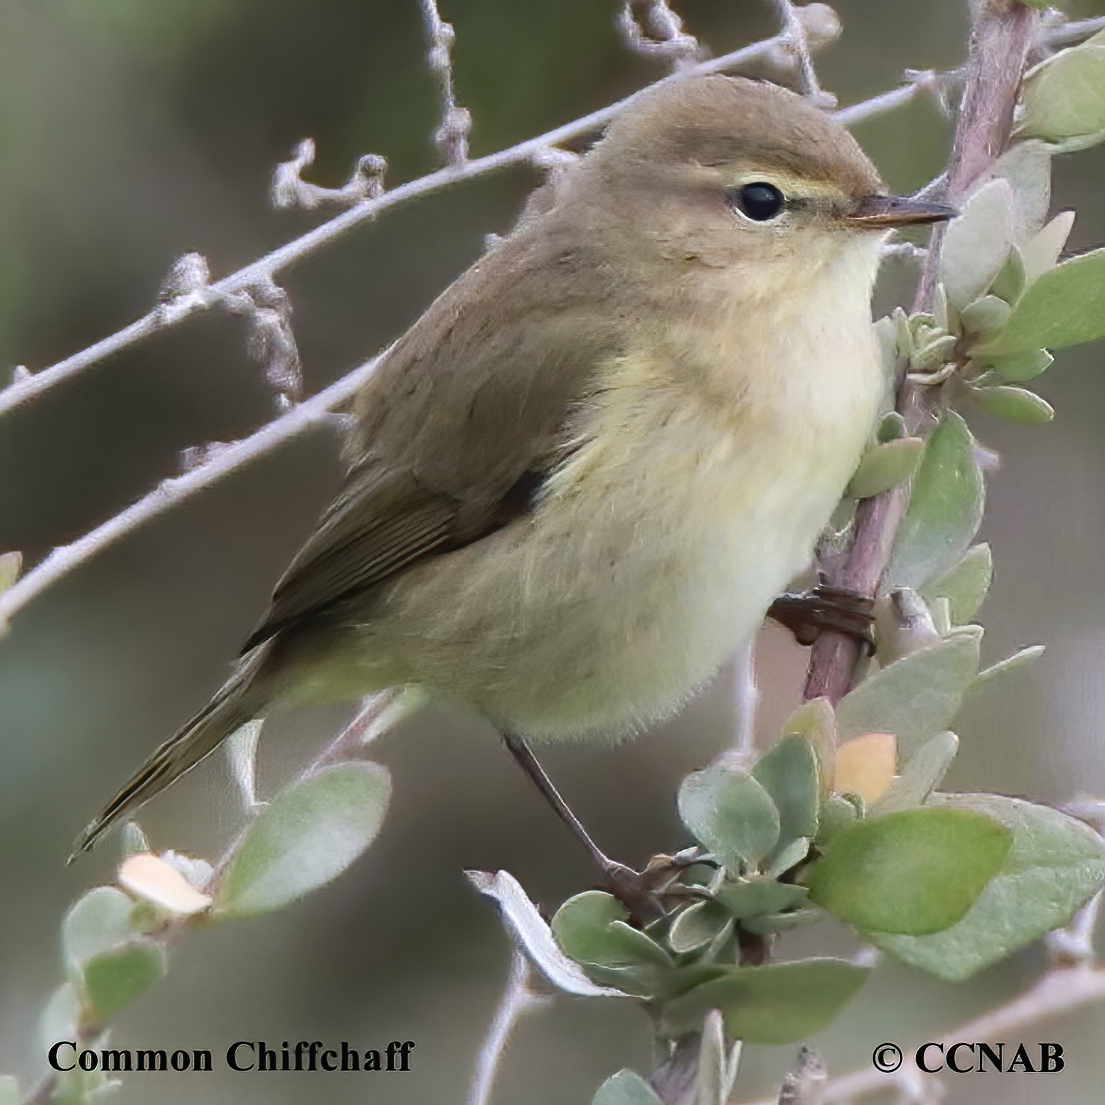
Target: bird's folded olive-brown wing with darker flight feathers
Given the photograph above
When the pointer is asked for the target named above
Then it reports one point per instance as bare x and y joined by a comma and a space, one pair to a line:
456, 432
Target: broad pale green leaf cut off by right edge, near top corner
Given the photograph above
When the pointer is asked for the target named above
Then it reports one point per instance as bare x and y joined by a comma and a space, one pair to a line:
1065, 97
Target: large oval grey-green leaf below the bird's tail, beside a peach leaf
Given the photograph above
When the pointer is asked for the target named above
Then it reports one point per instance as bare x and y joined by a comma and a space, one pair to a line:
306, 838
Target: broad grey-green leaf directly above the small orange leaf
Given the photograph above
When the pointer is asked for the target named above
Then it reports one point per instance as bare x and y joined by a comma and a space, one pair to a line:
917, 697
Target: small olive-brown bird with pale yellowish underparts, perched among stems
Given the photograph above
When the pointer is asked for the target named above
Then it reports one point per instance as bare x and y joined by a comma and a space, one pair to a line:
580, 479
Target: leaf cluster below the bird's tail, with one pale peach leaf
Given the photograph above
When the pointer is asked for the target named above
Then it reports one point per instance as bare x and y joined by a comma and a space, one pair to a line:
115, 939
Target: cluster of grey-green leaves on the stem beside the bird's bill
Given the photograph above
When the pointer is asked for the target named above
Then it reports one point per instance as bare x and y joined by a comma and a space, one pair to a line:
1004, 298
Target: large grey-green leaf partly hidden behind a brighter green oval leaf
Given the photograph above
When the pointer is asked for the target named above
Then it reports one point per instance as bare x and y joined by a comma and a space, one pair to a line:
1055, 867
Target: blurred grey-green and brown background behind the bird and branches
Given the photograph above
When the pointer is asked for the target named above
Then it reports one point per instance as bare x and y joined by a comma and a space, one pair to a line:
134, 131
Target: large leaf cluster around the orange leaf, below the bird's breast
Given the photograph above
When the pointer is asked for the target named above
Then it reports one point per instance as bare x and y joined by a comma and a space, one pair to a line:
841, 818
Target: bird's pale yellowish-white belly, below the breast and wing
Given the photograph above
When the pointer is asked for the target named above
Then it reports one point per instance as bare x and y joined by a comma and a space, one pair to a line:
640, 573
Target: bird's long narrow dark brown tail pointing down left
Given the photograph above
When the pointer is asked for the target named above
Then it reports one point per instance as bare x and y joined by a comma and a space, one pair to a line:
239, 701
